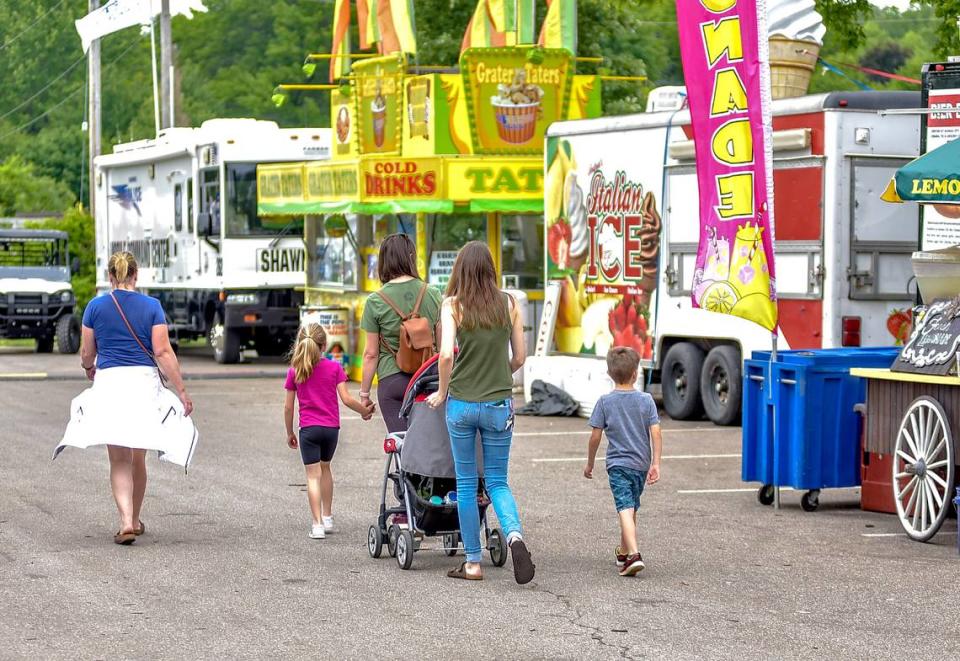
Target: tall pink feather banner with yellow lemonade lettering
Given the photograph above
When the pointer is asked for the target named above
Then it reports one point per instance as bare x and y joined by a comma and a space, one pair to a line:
723, 44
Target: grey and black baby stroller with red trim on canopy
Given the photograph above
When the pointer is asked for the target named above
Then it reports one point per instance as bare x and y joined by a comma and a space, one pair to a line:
420, 466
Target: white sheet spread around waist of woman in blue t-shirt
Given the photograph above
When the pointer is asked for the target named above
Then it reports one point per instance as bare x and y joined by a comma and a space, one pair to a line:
129, 407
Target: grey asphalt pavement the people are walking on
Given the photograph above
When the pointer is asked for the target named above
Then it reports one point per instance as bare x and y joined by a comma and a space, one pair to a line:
226, 568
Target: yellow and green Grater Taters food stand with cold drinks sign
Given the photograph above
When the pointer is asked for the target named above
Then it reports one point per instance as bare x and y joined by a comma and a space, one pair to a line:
445, 156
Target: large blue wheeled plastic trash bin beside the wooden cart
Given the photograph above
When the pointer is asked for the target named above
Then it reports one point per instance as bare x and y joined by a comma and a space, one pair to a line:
799, 425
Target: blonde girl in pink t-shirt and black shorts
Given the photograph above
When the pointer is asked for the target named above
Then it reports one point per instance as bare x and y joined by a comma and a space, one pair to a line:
315, 381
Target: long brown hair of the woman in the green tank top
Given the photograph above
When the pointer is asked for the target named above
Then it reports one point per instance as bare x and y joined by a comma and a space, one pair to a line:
474, 282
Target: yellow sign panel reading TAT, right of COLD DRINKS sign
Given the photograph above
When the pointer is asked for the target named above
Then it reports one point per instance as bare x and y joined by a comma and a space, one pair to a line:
494, 178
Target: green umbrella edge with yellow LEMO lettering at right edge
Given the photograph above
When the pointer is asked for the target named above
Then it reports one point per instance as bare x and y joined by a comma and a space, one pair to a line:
934, 178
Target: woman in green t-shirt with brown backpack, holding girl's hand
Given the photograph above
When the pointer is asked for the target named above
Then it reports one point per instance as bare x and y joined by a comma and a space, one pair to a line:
397, 268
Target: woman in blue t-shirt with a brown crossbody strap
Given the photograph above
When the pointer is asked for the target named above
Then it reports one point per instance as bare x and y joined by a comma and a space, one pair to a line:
122, 360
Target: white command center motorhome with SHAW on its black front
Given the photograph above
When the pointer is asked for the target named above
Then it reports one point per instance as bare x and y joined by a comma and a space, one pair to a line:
185, 204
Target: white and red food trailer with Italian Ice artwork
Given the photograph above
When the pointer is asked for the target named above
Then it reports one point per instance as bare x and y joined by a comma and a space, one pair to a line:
842, 256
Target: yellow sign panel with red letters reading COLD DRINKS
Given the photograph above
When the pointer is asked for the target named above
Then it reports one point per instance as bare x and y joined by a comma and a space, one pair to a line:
406, 178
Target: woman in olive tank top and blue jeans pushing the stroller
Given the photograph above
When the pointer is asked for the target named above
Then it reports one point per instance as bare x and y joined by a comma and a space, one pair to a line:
485, 324
